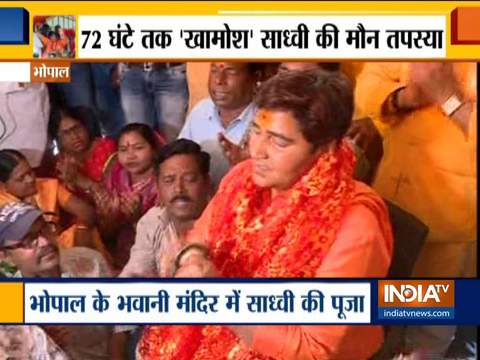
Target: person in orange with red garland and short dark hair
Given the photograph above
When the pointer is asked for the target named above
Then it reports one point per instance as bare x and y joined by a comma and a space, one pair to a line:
292, 210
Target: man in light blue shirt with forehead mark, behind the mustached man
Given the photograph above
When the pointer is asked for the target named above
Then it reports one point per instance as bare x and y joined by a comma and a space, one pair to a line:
225, 115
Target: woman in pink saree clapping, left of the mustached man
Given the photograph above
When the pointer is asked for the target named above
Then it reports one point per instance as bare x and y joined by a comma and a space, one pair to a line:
128, 189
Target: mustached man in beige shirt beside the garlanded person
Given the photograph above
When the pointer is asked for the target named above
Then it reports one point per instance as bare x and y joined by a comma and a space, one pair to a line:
183, 184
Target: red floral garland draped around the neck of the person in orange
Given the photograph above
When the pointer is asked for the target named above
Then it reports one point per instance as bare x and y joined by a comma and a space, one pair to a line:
255, 235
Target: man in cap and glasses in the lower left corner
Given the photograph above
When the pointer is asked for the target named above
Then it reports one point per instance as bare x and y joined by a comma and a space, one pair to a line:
27, 247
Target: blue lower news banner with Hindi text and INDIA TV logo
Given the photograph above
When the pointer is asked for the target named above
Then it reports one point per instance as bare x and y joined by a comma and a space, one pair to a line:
246, 301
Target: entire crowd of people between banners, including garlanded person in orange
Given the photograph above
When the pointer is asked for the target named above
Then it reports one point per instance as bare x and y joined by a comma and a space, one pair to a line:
291, 170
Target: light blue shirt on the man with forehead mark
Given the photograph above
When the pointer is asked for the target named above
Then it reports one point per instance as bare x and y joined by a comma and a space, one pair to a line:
203, 125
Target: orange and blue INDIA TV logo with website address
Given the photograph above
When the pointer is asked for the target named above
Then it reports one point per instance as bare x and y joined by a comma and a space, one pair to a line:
416, 299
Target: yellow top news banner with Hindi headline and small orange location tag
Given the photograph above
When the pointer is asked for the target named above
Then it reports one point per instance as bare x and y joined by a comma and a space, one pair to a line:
49, 40
